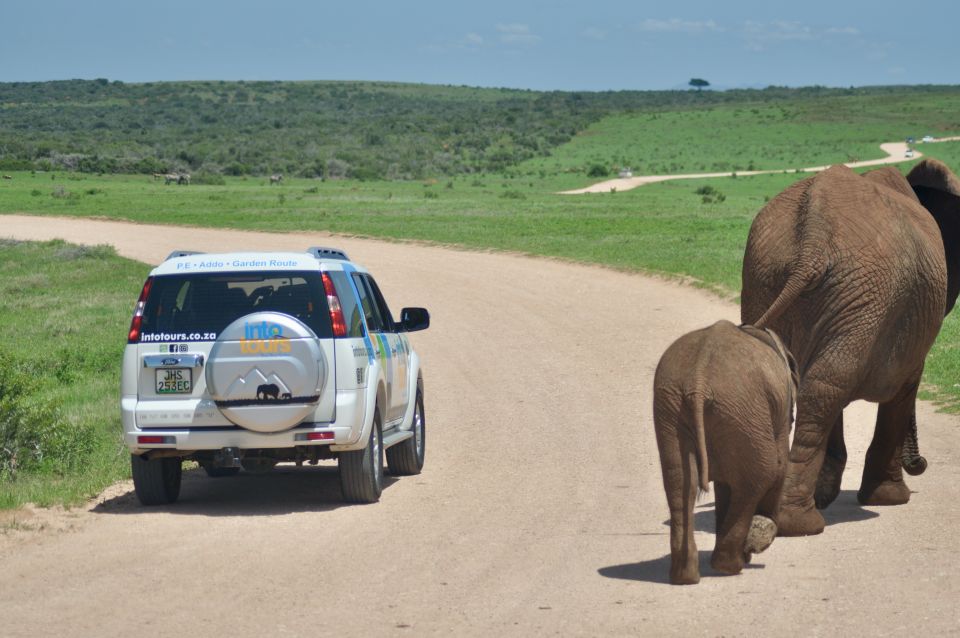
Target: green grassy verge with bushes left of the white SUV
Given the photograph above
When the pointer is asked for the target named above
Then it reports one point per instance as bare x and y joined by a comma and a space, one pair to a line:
62, 323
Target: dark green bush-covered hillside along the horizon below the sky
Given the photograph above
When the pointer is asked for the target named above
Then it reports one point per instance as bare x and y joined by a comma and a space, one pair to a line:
364, 130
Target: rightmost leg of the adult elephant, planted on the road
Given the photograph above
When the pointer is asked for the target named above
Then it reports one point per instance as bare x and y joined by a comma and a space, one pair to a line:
882, 482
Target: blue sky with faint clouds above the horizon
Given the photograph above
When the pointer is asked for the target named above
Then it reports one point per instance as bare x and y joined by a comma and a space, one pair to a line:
607, 45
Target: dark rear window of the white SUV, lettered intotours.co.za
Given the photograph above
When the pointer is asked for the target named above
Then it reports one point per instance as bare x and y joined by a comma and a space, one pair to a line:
198, 307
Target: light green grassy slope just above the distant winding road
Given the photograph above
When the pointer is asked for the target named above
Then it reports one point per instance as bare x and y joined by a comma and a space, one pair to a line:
727, 138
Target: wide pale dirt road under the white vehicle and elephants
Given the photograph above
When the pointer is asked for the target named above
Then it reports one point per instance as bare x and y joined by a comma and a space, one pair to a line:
540, 510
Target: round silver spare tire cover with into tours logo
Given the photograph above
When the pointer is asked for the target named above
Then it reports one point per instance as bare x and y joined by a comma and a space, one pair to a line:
266, 372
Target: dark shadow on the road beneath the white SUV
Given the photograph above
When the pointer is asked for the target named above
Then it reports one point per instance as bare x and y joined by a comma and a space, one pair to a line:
284, 490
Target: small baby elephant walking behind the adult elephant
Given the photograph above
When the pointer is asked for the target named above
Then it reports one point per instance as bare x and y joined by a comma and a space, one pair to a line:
722, 409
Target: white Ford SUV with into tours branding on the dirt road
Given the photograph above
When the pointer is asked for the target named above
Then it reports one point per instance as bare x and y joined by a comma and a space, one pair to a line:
246, 360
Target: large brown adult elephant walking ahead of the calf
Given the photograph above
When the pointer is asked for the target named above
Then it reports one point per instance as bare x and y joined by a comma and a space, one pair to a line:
850, 271
